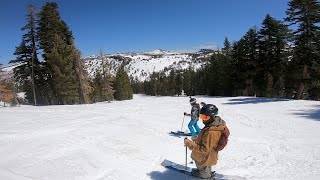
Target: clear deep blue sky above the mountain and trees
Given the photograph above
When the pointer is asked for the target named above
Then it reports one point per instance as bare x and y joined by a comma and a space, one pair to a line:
143, 25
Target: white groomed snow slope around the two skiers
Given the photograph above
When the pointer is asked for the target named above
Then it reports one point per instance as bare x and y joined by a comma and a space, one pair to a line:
270, 139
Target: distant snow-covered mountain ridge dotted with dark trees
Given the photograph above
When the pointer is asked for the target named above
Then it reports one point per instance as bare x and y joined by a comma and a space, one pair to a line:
141, 65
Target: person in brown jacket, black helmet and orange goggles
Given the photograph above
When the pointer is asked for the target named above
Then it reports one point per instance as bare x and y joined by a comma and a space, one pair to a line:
204, 147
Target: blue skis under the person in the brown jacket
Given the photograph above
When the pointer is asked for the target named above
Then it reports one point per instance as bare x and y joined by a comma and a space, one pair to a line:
187, 171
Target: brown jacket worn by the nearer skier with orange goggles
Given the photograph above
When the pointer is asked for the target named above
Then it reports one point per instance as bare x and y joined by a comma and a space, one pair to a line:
203, 147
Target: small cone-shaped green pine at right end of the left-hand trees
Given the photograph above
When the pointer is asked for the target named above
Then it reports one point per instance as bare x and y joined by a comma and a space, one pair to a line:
122, 86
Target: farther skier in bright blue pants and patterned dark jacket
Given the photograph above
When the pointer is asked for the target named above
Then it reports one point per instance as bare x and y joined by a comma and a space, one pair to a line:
193, 124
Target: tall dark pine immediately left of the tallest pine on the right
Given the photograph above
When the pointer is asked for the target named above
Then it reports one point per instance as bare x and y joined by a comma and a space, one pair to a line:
273, 57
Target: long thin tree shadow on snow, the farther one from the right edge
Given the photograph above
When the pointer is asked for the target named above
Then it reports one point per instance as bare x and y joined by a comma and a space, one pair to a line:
254, 100
